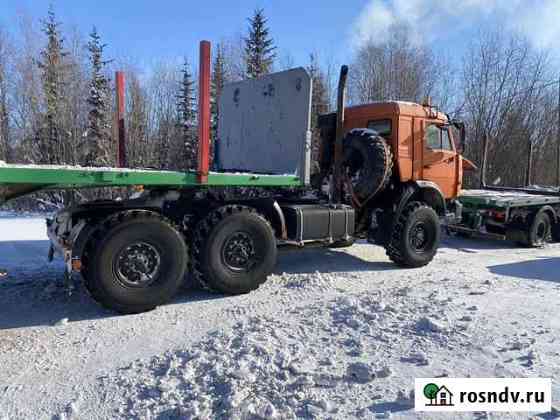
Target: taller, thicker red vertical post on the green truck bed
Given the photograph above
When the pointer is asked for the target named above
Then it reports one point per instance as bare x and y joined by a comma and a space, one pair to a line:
204, 113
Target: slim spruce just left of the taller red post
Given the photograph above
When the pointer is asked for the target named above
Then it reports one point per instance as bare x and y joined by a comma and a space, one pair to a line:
188, 144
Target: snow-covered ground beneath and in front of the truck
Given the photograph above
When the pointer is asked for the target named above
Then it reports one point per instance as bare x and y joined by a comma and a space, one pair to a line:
333, 334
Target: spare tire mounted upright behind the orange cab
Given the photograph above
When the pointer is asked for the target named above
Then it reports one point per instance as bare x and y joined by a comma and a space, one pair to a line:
367, 162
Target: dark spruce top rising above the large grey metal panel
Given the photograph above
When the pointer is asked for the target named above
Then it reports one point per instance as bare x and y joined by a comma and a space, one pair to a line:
259, 47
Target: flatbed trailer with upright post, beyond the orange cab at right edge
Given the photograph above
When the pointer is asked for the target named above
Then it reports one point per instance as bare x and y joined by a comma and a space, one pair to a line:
529, 216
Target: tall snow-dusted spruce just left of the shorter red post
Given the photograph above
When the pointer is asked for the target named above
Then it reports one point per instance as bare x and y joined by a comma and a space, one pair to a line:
98, 138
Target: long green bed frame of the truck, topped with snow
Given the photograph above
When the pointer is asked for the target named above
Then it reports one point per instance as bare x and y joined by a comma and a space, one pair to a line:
19, 180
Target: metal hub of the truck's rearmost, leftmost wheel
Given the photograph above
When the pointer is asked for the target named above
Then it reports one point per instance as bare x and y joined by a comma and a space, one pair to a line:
138, 264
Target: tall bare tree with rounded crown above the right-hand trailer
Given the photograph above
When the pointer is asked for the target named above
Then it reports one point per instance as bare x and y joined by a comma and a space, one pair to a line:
503, 82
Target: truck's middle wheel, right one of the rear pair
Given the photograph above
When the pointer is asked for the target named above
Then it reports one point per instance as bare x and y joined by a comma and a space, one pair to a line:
233, 250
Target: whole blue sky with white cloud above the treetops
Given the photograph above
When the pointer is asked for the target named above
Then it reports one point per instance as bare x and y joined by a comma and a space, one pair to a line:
148, 30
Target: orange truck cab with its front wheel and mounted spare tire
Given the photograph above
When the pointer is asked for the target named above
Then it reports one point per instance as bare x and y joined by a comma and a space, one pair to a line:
401, 169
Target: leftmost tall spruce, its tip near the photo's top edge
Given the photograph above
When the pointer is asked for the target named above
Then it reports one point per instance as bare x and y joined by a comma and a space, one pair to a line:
49, 139
